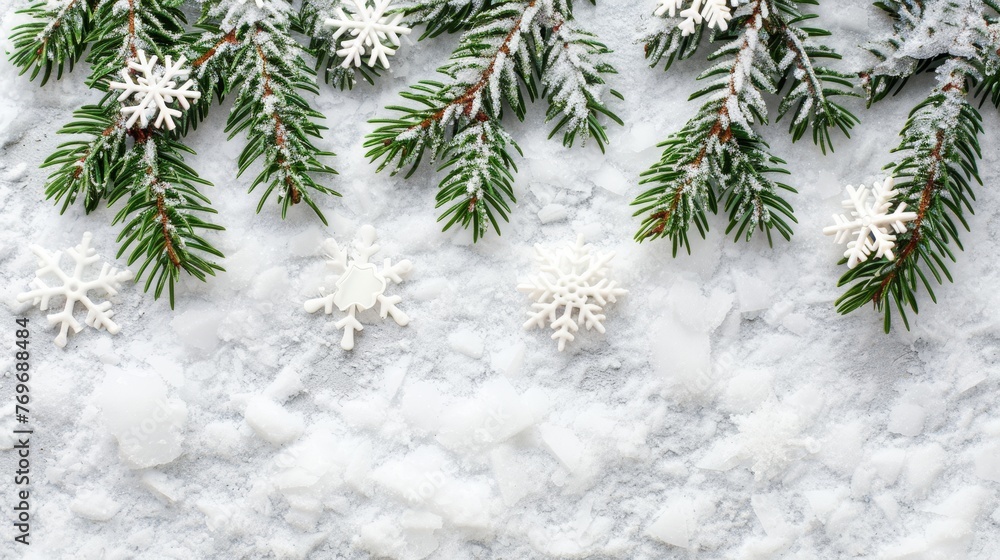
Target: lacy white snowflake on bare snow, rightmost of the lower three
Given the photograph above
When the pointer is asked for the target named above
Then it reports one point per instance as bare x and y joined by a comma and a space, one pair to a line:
571, 279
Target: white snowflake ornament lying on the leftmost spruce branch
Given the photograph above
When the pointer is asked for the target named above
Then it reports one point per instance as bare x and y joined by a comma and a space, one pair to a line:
153, 89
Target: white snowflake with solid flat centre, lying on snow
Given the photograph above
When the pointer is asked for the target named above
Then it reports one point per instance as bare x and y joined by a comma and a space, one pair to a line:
360, 285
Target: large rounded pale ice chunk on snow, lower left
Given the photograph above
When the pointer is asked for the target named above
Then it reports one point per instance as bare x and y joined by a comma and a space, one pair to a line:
147, 424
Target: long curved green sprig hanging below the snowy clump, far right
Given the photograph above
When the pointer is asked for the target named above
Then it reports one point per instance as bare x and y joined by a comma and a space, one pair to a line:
940, 147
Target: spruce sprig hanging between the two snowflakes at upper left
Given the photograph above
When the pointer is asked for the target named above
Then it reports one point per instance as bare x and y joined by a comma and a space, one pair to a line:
247, 49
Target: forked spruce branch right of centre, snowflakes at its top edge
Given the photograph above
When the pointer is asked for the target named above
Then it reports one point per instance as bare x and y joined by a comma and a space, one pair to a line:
718, 154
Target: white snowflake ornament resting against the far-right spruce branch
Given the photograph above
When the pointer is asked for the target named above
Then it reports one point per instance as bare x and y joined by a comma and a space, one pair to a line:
869, 224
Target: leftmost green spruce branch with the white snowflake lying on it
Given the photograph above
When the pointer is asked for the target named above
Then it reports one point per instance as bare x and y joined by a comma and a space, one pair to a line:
126, 147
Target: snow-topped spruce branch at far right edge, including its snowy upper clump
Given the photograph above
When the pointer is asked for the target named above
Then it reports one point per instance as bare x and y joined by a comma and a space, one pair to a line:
939, 151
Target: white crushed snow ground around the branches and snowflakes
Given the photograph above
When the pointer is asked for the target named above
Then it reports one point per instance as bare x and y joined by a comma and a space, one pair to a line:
729, 412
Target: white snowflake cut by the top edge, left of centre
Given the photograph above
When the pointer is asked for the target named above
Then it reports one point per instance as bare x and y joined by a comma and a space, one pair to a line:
369, 29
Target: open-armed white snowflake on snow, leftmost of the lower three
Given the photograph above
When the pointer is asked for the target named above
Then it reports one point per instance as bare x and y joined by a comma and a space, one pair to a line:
74, 288
